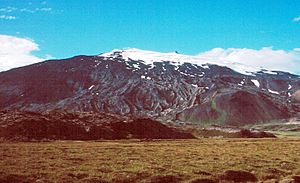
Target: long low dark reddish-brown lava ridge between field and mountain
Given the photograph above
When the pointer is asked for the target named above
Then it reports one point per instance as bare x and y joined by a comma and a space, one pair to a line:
59, 125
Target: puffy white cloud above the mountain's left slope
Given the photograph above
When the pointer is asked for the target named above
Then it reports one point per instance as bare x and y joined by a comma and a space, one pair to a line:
17, 52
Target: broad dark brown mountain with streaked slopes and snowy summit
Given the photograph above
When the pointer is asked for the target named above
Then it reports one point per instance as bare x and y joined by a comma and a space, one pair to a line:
167, 87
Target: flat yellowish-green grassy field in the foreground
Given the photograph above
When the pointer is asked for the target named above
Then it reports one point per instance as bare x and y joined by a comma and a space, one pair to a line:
204, 160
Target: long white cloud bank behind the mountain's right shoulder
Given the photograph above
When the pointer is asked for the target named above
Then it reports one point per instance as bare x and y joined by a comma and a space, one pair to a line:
266, 58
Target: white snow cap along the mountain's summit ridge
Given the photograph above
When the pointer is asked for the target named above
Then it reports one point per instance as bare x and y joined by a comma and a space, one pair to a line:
149, 57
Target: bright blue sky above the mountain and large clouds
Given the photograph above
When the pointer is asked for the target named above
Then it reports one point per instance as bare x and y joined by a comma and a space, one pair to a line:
63, 29
